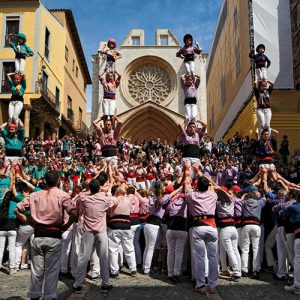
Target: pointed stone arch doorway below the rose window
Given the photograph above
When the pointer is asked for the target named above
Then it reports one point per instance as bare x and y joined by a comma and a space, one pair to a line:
150, 121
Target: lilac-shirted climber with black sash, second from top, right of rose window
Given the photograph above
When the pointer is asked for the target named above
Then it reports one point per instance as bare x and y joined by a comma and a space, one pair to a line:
190, 85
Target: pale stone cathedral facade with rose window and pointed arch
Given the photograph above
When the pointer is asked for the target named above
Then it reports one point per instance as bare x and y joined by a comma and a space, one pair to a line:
150, 100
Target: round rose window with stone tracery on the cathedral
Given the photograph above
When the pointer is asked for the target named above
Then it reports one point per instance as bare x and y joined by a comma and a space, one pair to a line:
149, 82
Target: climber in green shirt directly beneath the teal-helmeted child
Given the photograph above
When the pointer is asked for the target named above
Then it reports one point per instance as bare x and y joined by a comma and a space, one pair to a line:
18, 86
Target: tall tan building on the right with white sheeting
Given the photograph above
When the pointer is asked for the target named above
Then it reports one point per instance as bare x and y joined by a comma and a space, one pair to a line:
230, 75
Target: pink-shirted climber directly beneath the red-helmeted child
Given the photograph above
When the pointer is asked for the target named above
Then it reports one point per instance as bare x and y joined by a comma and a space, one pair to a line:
110, 82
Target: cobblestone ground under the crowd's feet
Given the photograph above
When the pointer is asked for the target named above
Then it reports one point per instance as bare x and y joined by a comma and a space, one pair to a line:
142, 287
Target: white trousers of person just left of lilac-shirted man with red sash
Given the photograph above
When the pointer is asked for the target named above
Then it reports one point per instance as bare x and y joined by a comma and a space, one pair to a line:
176, 240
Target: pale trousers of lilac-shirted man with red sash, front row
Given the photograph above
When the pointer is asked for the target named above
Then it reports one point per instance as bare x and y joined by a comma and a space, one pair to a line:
205, 240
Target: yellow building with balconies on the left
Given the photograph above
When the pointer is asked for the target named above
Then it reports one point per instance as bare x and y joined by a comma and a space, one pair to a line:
57, 74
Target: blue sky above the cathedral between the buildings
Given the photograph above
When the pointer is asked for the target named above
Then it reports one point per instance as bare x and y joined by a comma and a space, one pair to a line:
99, 20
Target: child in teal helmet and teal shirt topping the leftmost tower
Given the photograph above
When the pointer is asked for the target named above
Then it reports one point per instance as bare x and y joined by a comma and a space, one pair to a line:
22, 51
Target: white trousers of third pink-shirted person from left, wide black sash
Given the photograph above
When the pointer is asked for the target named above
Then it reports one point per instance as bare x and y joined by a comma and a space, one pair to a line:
124, 238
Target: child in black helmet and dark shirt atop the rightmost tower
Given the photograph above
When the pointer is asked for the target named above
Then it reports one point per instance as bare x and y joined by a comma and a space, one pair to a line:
262, 62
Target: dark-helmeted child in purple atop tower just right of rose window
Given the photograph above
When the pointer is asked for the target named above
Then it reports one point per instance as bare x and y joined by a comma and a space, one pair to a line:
188, 53
